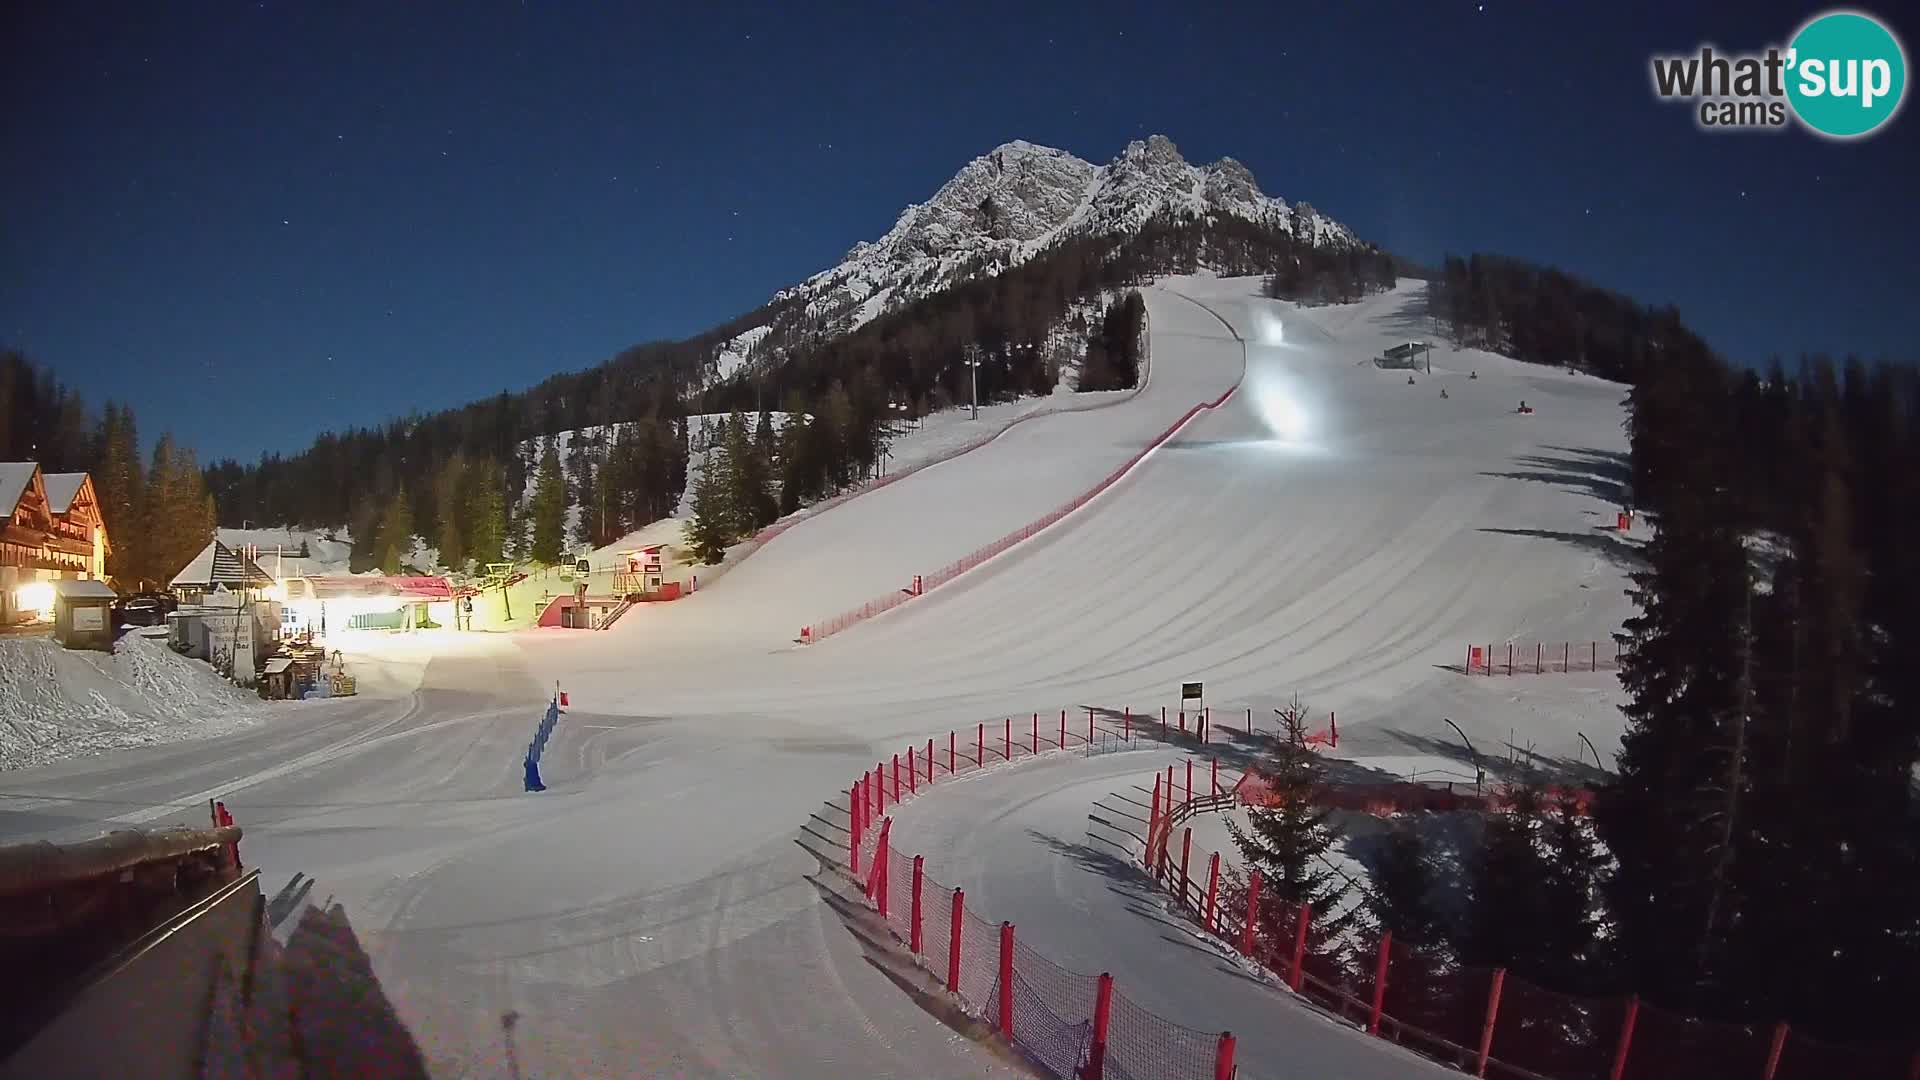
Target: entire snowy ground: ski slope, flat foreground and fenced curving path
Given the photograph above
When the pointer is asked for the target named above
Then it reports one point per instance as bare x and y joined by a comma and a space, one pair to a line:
669, 904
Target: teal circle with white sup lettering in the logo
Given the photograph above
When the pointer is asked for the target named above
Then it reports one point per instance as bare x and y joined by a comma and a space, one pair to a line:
1846, 74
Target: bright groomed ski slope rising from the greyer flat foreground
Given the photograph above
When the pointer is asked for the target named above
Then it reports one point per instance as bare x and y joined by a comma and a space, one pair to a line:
1347, 562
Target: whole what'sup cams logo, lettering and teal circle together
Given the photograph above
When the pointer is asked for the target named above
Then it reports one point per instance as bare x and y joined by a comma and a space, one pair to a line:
1842, 76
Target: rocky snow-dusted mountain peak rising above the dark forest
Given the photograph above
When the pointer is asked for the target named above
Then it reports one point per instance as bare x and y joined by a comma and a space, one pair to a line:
1019, 199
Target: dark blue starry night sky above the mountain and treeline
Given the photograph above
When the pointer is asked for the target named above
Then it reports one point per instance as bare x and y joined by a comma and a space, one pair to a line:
258, 222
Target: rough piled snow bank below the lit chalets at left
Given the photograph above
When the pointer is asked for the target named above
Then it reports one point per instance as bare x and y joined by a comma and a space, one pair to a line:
64, 704
